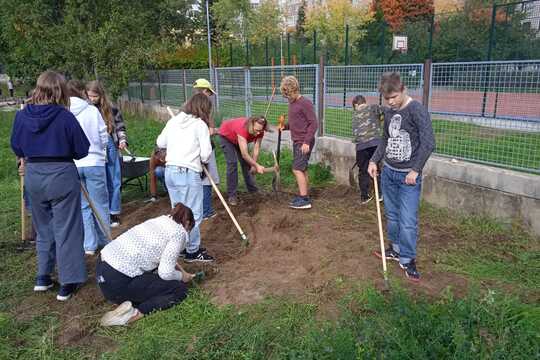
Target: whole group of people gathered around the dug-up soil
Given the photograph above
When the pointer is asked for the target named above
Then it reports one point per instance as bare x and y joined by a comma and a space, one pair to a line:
66, 150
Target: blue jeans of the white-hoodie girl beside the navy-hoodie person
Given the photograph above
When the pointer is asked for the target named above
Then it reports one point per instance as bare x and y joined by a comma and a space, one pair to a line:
93, 178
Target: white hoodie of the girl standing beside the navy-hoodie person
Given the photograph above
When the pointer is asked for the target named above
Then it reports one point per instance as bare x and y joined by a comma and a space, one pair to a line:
95, 130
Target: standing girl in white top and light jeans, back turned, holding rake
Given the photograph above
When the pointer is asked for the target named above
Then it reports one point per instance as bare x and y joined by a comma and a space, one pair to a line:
187, 140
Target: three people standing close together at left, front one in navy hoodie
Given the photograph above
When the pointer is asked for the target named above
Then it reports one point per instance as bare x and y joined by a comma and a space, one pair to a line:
67, 139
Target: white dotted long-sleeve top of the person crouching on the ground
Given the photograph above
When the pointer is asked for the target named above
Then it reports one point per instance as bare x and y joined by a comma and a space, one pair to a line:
156, 243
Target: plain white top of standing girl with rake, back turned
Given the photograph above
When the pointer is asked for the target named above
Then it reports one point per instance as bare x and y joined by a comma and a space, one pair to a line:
187, 141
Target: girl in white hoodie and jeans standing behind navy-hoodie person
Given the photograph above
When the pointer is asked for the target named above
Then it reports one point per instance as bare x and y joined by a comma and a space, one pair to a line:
92, 168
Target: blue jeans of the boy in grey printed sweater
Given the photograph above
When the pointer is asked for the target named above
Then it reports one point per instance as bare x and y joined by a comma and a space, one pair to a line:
401, 202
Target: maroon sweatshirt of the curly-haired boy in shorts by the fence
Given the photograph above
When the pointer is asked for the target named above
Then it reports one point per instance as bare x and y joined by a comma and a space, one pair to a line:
302, 121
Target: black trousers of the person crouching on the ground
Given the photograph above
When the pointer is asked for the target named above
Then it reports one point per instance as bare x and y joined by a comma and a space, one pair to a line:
147, 292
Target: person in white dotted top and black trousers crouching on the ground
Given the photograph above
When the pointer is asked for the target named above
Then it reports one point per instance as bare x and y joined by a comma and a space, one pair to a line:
125, 270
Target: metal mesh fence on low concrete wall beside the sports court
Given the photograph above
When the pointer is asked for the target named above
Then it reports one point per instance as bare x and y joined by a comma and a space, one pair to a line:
485, 111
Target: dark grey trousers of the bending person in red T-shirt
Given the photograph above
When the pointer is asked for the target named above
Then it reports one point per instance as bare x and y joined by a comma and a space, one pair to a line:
232, 157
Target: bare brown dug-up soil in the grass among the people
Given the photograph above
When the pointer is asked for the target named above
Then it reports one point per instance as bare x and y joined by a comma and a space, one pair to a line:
292, 253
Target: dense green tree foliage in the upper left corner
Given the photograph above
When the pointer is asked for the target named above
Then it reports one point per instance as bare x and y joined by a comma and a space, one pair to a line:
110, 39
